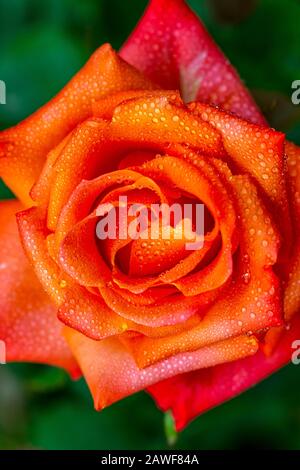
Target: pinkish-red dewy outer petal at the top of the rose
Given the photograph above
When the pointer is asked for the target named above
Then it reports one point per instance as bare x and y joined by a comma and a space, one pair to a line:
172, 47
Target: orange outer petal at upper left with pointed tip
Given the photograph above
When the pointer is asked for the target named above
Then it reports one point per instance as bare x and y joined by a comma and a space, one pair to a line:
23, 148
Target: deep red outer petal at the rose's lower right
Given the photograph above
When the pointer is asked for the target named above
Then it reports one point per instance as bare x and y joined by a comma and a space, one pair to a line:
189, 395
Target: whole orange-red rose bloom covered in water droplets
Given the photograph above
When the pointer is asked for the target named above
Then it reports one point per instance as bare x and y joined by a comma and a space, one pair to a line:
166, 120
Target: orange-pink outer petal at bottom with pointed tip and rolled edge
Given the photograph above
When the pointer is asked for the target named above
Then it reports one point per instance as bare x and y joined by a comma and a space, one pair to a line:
112, 374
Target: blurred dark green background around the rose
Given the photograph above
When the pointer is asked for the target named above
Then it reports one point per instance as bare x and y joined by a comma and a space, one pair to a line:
42, 44
